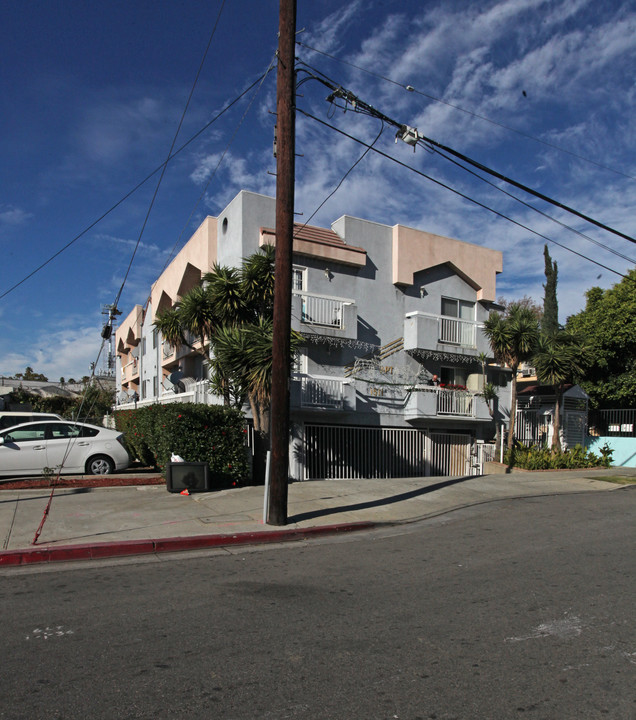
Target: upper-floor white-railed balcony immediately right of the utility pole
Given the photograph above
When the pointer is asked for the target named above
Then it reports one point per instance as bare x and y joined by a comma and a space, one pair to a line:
324, 315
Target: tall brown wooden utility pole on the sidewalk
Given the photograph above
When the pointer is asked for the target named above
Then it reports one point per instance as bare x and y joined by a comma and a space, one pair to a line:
285, 175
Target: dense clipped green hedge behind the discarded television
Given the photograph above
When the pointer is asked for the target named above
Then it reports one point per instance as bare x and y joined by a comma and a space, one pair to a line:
197, 433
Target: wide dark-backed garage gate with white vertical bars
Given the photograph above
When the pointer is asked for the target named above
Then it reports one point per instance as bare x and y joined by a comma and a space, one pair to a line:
338, 452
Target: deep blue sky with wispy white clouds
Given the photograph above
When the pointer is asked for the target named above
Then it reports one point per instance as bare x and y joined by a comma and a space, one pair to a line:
93, 94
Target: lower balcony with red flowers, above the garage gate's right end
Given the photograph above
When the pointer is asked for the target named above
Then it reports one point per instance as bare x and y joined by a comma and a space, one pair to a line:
442, 403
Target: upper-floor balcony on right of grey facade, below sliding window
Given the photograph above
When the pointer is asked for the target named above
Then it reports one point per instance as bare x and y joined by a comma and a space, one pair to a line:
423, 331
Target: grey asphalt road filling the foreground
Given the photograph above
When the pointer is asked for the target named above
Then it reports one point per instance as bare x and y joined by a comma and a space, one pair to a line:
522, 608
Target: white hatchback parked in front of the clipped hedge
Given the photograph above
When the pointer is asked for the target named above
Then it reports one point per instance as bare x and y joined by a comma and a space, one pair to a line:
76, 448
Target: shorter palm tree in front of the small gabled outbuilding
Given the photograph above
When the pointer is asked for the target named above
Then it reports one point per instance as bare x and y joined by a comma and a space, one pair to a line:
559, 359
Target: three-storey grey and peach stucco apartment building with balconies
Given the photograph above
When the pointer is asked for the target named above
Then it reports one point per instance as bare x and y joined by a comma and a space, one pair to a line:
388, 380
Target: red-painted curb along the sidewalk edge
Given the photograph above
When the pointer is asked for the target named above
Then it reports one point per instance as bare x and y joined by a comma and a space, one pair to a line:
100, 551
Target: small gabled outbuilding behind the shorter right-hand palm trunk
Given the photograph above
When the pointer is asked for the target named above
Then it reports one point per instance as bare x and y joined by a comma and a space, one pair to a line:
535, 415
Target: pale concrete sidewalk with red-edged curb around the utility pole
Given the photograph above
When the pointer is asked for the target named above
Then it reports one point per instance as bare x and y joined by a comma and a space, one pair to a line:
110, 522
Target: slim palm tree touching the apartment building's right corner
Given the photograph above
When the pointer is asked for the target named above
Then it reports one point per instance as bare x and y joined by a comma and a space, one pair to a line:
512, 339
